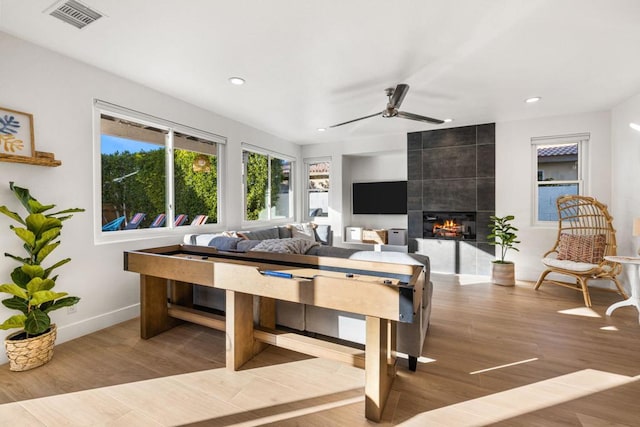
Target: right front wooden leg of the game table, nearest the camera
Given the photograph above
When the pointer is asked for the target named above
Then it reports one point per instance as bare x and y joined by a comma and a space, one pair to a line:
379, 366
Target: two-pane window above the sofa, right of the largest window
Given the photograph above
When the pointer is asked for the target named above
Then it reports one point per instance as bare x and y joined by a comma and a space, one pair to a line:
267, 186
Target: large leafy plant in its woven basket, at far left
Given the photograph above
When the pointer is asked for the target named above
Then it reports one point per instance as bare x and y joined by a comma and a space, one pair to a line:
31, 291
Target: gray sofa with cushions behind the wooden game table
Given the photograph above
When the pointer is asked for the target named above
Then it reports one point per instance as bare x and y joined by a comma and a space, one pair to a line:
317, 320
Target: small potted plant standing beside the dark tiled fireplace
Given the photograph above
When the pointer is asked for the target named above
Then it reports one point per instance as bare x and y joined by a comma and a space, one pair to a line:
503, 235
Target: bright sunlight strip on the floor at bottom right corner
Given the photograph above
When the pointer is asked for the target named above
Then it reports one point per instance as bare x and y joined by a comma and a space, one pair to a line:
521, 400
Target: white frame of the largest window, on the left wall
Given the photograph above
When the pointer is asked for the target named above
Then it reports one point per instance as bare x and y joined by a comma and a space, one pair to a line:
105, 108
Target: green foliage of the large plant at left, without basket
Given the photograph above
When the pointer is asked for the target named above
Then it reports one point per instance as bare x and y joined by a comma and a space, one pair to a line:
32, 288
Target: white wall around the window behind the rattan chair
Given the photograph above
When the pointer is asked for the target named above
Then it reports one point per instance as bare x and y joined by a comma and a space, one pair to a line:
515, 175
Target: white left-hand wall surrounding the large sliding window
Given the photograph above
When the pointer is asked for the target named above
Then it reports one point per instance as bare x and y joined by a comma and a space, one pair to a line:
59, 92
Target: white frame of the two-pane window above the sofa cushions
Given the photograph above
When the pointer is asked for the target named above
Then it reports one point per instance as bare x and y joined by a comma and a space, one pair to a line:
292, 186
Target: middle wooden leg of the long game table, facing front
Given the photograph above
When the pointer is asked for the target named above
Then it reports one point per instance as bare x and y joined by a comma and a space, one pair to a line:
239, 329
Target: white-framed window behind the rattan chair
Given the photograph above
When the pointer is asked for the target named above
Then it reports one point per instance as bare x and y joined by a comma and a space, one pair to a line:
560, 170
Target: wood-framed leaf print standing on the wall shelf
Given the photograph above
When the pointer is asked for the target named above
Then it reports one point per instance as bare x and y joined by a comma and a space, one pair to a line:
16, 133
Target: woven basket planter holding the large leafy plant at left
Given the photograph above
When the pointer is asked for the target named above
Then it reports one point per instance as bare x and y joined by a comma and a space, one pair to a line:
31, 352
